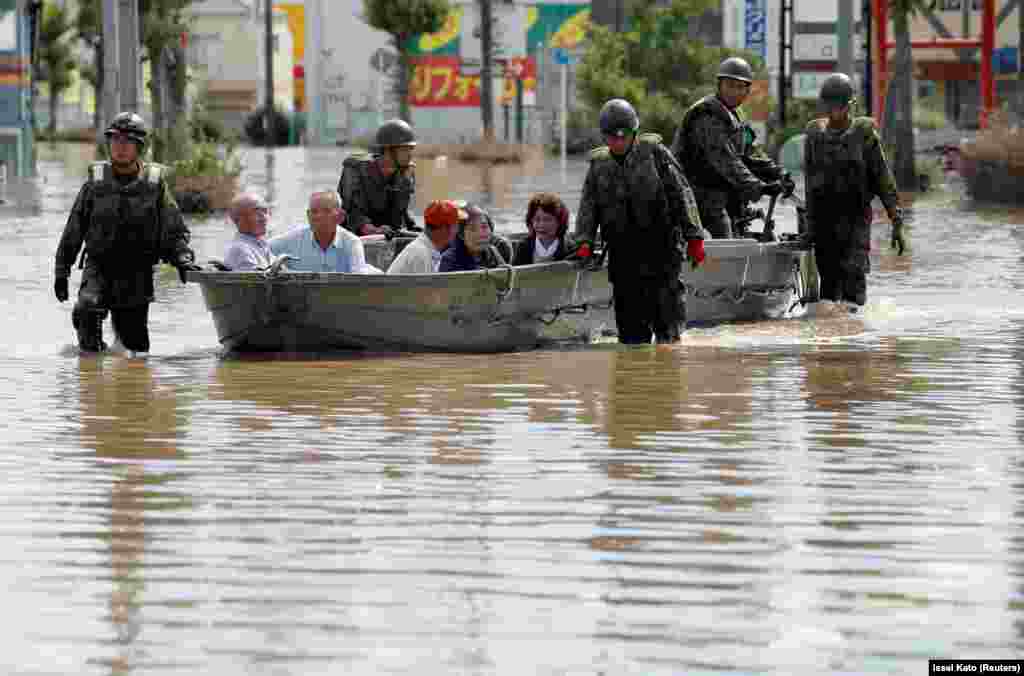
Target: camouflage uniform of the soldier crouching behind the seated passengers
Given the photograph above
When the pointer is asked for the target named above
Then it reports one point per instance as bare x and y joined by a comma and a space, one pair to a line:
369, 197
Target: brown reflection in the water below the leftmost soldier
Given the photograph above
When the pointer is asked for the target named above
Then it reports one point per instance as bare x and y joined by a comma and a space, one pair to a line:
132, 421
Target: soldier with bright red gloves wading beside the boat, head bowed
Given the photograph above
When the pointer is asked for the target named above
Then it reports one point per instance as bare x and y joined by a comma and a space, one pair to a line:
637, 199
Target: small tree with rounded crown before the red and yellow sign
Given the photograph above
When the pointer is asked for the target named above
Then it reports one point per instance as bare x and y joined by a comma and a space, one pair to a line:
402, 20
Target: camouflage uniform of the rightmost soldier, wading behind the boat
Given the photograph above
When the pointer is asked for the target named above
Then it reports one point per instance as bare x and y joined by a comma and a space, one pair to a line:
844, 171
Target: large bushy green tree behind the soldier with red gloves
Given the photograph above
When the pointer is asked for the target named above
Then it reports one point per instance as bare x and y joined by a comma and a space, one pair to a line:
656, 65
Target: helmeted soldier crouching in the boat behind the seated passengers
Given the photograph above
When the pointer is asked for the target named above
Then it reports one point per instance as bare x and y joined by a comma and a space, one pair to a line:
378, 188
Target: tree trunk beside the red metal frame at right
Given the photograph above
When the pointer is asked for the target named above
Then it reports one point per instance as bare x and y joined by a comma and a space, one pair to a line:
899, 132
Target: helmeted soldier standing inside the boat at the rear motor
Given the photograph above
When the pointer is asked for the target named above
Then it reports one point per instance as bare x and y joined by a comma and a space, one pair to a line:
717, 149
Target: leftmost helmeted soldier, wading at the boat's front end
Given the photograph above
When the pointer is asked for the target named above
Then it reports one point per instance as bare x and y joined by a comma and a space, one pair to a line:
127, 221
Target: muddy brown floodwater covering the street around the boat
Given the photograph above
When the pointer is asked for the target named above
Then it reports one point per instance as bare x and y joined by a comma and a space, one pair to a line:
831, 495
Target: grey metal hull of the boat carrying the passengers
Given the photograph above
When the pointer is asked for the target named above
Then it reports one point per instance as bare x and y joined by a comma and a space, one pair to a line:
502, 310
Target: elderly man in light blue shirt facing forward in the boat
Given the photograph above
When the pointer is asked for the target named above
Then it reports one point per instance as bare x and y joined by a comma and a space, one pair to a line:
323, 246
